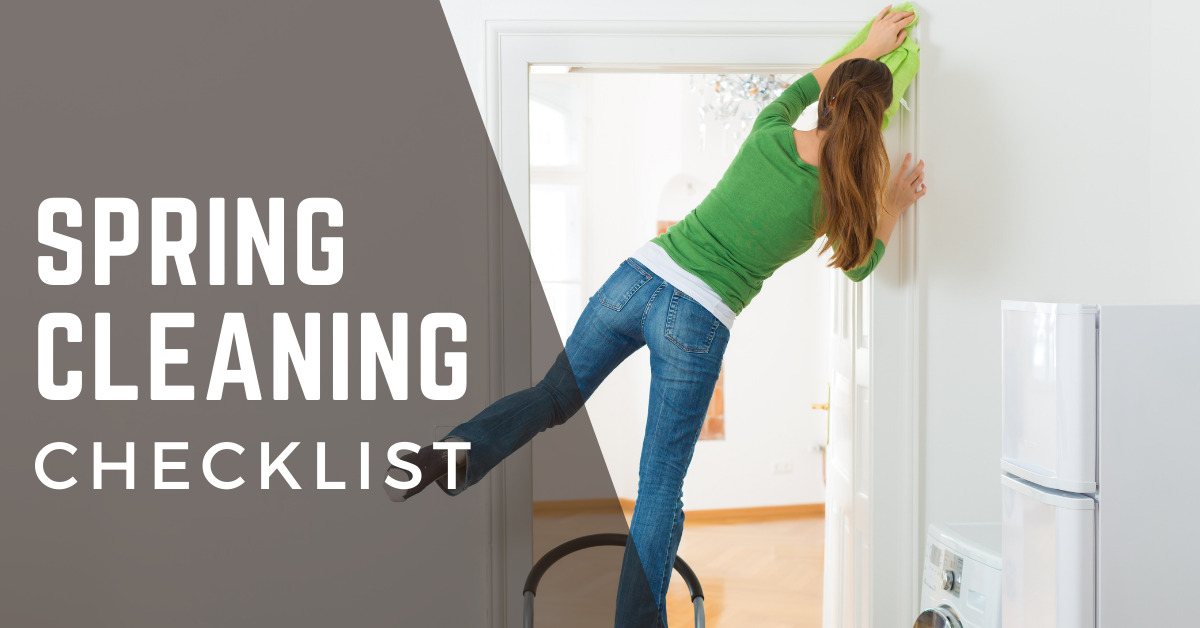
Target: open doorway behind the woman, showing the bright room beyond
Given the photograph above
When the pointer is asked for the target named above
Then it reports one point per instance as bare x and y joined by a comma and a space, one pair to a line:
615, 159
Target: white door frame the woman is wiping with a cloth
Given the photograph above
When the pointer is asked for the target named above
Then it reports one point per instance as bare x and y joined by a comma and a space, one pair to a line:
512, 47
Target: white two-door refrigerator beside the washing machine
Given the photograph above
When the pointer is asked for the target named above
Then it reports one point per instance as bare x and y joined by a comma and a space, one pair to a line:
1101, 465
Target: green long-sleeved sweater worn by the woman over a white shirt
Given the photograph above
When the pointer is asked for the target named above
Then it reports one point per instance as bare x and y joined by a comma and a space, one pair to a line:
761, 214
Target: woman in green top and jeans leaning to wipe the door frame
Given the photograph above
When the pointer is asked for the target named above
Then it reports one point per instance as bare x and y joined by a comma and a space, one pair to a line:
679, 295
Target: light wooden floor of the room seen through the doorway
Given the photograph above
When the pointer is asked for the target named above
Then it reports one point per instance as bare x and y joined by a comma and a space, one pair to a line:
765, 575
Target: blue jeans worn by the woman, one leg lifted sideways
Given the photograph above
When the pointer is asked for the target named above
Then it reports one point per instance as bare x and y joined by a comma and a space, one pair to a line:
687, 343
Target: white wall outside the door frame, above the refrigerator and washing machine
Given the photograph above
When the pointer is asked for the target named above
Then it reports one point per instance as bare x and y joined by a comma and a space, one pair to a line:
1060, 141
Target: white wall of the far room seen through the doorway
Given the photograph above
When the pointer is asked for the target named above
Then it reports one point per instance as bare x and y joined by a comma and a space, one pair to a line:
777, 362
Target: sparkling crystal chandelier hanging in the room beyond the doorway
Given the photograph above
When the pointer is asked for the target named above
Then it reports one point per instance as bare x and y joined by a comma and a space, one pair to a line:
735, 100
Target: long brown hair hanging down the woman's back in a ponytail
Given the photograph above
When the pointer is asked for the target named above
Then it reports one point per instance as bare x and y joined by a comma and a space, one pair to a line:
854, 164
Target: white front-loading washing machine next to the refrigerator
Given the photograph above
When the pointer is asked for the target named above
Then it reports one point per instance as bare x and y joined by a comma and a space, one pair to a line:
961, 588
